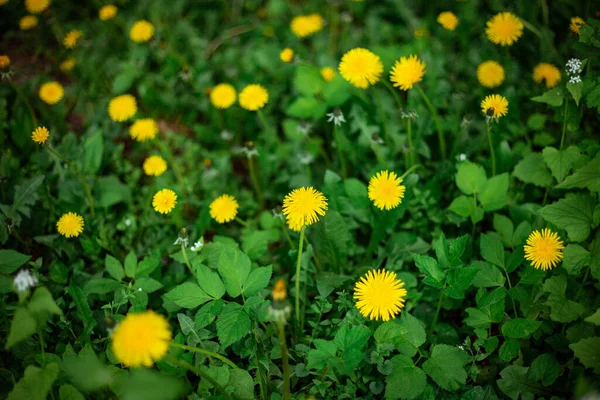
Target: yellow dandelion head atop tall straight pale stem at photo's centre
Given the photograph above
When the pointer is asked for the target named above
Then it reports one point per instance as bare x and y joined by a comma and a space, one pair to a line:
303, 207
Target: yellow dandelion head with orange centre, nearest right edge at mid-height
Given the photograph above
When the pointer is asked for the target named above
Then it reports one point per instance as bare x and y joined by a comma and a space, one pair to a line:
544, 249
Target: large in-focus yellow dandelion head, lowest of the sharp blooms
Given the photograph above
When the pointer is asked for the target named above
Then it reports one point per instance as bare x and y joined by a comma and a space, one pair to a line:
380, 295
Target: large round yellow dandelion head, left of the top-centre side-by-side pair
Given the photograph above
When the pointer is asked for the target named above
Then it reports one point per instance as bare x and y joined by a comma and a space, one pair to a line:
361, 67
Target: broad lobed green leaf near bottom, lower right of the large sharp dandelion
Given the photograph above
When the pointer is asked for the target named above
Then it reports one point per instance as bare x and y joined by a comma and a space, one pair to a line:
445, 367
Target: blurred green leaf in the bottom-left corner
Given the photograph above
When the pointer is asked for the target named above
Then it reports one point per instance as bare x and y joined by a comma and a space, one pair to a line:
36, 383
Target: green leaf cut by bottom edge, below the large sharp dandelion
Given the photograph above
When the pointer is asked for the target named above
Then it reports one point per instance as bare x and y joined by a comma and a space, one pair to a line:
406, 381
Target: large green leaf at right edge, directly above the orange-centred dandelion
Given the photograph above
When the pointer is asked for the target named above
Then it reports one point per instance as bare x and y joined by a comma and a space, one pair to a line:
575, 214
